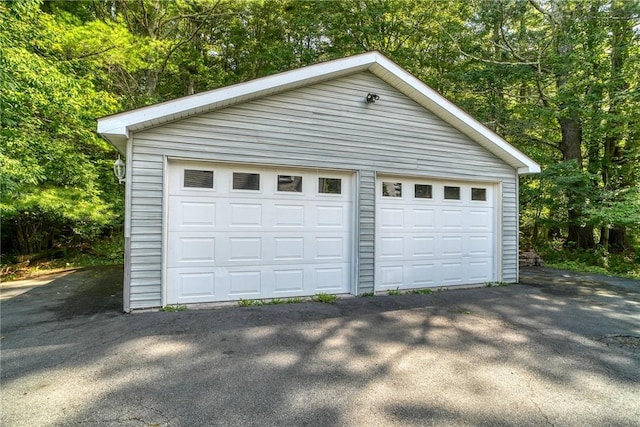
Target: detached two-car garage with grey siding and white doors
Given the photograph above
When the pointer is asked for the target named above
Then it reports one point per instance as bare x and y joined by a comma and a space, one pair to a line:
344, 177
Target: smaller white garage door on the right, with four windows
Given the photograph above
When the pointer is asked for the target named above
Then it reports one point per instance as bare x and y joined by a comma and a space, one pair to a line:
434, 233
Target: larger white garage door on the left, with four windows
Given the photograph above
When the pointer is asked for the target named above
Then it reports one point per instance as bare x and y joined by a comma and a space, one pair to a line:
247, 232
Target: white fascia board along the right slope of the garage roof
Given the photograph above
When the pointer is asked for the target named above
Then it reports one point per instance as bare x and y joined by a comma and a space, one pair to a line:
457, 117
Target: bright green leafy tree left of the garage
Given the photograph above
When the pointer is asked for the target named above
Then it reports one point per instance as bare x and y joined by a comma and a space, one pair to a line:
51, 161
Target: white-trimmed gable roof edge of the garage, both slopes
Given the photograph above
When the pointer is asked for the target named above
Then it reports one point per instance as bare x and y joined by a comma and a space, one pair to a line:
117, 128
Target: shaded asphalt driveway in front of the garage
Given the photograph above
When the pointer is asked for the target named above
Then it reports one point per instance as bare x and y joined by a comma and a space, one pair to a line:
559, 349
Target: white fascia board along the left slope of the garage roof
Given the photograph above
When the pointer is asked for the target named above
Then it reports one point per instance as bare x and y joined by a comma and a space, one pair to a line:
120, 124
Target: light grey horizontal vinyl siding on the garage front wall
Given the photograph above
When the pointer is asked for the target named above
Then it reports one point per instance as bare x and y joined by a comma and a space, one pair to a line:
329, 125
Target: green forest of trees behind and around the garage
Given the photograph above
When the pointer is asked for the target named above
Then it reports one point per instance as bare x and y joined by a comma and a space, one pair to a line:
558, 79
